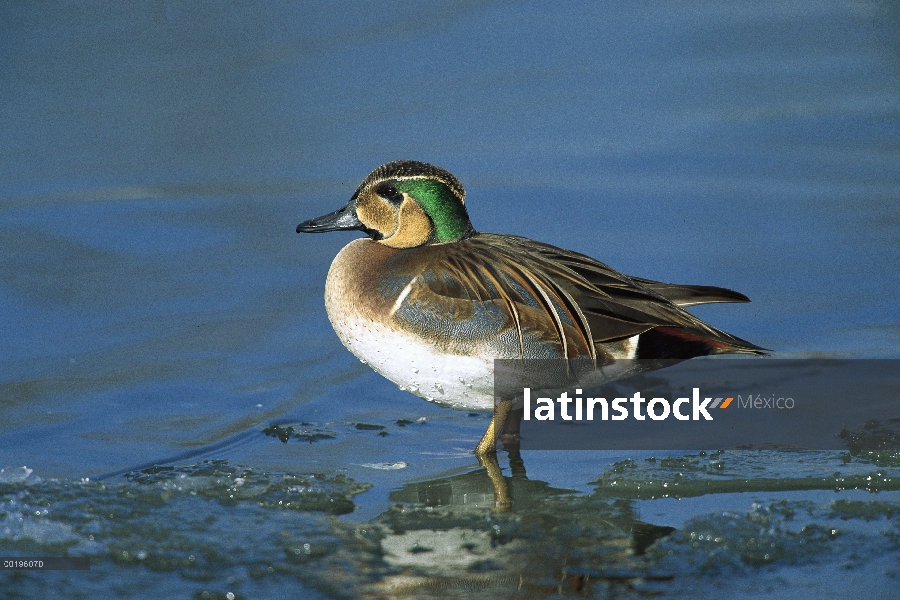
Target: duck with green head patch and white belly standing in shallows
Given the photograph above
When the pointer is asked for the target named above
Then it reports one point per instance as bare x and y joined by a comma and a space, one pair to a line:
429, 303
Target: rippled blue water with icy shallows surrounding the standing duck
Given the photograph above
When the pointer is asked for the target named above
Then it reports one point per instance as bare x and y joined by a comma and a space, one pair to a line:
159, 313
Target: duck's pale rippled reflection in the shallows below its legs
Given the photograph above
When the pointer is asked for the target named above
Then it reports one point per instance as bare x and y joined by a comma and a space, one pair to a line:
447, 537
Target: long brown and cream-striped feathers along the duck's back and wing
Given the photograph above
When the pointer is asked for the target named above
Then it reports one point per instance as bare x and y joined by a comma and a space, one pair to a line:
578, 295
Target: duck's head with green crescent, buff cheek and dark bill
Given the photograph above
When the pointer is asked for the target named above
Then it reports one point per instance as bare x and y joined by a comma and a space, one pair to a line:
402, 204
